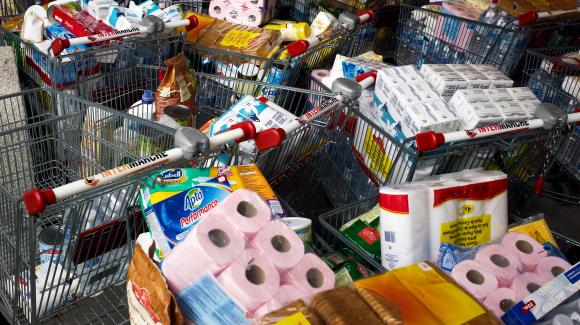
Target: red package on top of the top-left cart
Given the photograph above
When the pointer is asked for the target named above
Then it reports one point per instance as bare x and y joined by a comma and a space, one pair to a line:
77, 21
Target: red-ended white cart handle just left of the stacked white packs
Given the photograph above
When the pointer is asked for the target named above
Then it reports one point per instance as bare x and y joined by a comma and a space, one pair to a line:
345, 90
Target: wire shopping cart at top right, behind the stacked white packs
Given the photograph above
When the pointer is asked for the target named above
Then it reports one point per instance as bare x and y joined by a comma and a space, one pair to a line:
430, 36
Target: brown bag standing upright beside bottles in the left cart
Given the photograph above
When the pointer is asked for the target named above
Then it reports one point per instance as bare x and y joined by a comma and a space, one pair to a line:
177, 87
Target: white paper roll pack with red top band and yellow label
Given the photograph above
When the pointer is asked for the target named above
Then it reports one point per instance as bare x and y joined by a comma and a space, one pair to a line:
466, 208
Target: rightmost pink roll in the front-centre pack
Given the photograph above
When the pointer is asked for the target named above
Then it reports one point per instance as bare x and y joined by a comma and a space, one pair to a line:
311, 275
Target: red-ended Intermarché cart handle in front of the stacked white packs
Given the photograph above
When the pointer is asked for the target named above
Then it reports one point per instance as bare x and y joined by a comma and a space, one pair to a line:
432, 140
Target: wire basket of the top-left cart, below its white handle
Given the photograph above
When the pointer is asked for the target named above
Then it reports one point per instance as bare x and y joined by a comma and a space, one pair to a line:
64, 70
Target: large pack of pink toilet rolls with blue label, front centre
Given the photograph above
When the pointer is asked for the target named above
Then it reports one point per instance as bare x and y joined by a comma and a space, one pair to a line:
237, 253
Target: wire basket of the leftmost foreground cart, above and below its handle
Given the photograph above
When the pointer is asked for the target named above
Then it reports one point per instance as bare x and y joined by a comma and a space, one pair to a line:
80, 246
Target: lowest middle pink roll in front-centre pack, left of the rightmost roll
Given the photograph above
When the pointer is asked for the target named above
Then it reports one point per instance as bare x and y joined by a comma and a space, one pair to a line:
251, 279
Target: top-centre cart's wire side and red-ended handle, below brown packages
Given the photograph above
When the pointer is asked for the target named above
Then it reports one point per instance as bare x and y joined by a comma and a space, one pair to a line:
287, 64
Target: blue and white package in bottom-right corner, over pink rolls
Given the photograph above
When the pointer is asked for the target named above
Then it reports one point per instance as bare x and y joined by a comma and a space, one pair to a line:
537, 304
